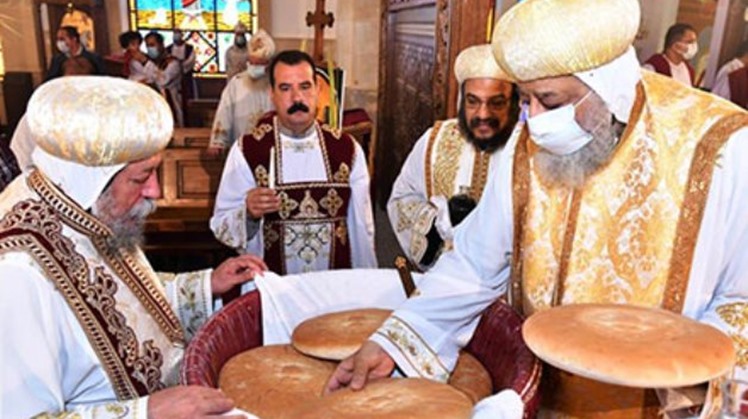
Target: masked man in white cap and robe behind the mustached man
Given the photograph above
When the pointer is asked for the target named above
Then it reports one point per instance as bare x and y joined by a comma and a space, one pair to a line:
246, 96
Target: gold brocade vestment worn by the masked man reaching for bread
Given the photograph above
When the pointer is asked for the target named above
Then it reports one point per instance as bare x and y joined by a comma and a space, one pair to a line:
628, 236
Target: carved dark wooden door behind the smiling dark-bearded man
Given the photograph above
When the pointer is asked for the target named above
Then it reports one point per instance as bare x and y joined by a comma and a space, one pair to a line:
420, 41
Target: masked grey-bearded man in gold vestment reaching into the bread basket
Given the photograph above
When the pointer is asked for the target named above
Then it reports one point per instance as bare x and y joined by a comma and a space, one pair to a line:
625, 188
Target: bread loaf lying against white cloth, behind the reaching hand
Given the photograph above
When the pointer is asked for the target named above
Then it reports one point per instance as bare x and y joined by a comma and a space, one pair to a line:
337, 336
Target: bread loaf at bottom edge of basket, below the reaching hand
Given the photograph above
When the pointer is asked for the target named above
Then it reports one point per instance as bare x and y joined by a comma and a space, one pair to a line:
392, 398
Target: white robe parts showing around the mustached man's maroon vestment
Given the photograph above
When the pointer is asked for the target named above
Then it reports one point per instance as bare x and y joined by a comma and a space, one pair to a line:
302, 161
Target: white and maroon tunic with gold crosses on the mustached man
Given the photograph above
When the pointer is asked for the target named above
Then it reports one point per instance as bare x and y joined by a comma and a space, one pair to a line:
315, 223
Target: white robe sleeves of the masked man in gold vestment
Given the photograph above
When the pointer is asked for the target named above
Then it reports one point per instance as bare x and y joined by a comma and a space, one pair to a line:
443, 317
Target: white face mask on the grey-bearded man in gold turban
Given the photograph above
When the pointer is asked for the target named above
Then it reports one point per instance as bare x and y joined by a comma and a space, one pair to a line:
558, 130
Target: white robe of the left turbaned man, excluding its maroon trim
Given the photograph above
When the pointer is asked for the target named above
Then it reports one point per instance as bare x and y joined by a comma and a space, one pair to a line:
47, 363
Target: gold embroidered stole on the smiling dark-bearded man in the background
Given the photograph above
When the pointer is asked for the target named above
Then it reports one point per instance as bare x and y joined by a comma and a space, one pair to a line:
442, 163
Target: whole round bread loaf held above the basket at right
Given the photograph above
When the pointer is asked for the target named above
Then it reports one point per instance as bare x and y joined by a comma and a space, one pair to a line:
628, 345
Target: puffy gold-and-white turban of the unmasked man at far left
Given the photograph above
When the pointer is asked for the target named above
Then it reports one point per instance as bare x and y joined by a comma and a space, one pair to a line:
99, 121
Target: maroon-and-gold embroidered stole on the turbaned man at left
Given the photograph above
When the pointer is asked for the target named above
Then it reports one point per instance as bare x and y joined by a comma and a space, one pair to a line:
137, 361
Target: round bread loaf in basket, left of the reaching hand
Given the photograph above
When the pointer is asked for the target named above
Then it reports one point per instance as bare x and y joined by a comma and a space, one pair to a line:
270, 381
